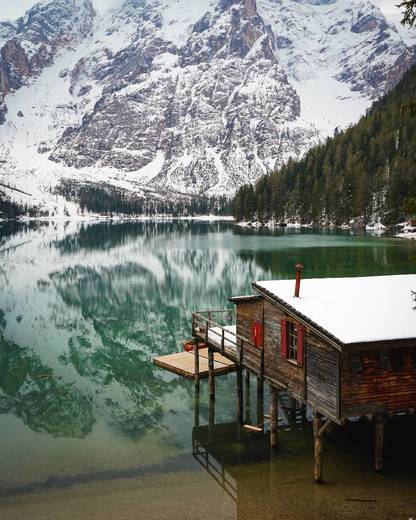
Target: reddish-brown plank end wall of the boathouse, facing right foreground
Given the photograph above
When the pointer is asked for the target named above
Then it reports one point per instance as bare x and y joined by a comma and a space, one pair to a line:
378, 389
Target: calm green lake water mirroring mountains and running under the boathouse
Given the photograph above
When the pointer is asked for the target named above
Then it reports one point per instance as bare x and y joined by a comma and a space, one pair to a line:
84, 308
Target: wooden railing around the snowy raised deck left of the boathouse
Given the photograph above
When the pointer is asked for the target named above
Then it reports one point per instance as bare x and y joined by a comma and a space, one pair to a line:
216, 333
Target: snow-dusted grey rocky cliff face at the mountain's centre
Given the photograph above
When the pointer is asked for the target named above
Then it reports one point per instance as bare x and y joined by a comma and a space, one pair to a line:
216, 107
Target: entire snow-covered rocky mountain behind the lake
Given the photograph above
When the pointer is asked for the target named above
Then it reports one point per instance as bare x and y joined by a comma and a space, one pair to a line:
196, 96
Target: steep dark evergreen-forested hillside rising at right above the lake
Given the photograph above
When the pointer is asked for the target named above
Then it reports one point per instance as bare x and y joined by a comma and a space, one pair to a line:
363, 173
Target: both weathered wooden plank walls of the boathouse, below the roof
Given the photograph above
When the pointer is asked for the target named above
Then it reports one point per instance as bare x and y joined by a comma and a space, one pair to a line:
328, 381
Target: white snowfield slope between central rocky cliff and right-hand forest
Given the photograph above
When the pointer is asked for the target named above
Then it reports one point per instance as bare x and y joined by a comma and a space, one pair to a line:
338, 55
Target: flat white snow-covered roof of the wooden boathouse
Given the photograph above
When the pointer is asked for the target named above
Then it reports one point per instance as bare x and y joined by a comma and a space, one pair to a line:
354, 310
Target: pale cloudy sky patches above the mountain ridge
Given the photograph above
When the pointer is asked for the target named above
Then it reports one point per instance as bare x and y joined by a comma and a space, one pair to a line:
12, 9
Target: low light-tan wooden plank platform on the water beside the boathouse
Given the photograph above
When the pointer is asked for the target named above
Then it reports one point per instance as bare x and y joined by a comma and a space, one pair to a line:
183, 364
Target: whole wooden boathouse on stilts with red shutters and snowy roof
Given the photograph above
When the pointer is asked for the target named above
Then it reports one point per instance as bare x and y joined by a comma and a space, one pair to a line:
346, 347
